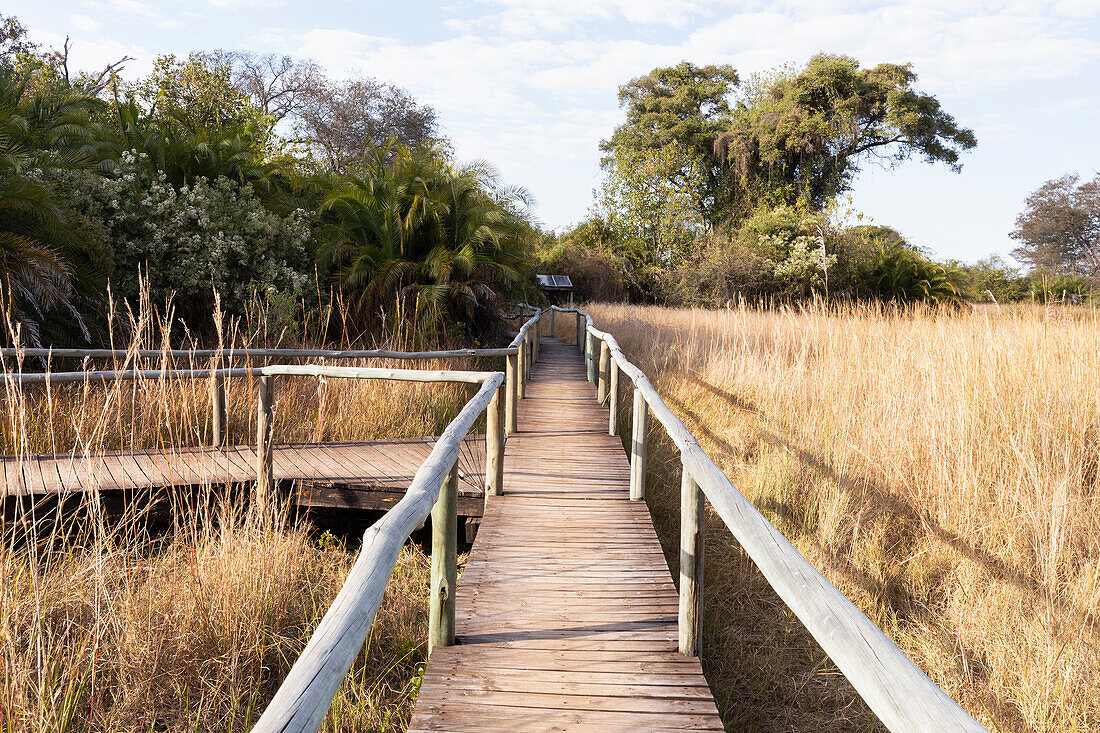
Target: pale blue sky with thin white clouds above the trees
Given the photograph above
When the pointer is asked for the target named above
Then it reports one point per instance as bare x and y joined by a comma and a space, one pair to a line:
532, 85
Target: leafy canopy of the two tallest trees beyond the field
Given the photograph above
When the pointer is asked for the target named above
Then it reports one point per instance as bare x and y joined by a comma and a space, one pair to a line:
698, 150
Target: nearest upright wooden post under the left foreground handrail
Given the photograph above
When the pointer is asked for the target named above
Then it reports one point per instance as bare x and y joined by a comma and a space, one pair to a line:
445, 570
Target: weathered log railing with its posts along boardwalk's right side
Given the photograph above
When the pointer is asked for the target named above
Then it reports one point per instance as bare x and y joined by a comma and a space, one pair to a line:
904, 697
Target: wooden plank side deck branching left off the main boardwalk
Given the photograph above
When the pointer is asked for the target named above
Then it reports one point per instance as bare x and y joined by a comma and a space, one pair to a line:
364, 475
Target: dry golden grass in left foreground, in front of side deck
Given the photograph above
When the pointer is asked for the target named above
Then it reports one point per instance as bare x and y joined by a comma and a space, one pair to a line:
195, 634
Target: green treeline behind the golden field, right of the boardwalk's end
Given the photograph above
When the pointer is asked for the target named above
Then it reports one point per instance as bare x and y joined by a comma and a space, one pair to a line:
718, 191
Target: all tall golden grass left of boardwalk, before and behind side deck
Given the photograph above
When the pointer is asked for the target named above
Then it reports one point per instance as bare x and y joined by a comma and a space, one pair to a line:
105, 626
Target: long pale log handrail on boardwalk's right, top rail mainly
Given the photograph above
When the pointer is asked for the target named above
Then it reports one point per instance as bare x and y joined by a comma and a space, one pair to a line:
895, 688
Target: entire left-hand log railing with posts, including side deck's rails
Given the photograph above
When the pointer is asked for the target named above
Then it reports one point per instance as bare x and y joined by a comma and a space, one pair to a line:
307, 693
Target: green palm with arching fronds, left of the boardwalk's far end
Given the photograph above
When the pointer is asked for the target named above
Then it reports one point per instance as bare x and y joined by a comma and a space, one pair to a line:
426, 242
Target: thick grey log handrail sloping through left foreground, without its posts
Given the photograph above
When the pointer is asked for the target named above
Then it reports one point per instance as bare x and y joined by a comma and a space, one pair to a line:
306, 695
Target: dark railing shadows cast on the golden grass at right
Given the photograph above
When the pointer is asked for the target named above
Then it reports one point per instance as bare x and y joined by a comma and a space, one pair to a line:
906, 523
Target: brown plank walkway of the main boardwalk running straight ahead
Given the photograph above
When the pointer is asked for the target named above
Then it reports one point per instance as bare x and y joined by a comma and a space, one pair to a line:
567, 612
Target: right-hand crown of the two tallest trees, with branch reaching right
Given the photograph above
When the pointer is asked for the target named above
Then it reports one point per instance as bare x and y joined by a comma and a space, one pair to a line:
804, 136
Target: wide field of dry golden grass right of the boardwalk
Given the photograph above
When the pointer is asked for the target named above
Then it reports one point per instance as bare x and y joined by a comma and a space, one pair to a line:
940, 468
